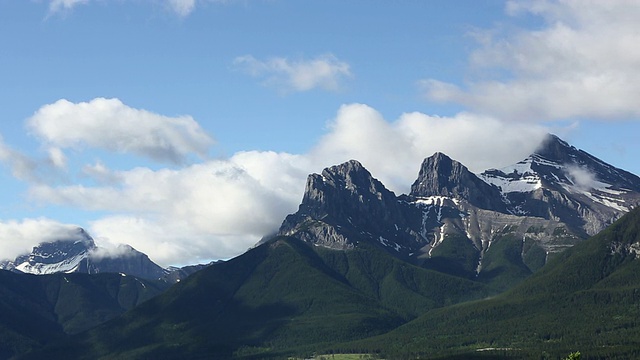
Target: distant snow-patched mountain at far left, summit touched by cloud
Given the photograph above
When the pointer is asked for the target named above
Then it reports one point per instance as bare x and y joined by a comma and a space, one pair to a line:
80, 254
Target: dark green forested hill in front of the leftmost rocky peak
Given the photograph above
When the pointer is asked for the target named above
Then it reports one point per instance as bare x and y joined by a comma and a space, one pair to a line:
282, 295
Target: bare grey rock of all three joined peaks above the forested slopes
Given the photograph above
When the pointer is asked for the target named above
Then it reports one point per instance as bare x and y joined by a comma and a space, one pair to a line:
502, 222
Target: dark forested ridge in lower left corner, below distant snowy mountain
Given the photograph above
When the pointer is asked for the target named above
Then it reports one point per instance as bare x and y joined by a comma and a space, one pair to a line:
35, 310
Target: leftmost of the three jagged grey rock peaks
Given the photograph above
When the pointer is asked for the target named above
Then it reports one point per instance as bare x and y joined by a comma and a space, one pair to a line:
344, 204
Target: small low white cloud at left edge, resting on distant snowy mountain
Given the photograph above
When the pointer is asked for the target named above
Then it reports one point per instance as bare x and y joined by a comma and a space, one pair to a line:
19, 237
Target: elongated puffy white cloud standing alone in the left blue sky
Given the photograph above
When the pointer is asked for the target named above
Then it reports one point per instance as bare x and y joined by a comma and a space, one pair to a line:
109, 124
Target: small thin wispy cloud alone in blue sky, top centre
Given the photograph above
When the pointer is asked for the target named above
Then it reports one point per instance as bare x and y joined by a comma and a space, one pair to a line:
325, 72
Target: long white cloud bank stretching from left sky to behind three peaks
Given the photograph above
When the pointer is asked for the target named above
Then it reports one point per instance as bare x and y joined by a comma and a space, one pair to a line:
219, 208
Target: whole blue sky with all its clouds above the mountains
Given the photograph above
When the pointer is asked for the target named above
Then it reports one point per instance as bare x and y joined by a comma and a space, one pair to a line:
187, 128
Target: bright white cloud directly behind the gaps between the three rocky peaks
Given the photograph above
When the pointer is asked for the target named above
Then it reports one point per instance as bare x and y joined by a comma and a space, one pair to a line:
393, 151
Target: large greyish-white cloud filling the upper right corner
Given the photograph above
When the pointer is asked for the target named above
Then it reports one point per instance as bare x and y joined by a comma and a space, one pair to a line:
582, 62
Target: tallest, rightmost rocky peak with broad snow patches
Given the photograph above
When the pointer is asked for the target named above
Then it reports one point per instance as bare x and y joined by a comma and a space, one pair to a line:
562, 182
